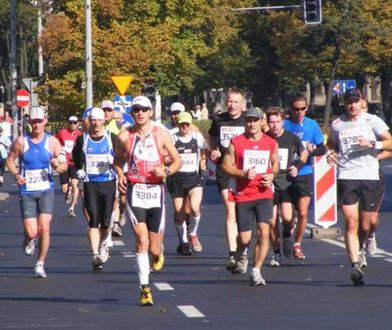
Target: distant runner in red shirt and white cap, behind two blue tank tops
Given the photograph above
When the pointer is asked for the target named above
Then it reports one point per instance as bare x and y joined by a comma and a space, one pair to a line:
69, 180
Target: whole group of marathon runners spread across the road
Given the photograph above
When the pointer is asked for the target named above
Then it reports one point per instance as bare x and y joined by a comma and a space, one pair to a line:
263, 170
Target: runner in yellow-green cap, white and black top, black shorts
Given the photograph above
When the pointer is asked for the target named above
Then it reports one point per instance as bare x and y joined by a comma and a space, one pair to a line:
187, 185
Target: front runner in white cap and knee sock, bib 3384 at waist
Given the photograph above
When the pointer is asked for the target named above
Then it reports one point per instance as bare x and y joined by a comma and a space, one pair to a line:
143, 147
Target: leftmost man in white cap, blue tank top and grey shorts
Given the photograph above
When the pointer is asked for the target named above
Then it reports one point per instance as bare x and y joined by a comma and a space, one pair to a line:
38, 155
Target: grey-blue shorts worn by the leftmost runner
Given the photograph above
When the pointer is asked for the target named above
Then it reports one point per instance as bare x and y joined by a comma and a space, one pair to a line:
31, 205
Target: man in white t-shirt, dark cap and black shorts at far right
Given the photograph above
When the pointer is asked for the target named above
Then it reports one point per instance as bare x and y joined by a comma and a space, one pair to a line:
353, 135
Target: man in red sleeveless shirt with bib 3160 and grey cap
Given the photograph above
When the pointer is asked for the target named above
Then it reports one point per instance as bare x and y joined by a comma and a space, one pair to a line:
252, 159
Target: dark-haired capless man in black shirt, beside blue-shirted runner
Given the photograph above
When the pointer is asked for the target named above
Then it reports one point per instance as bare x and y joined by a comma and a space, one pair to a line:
292, 156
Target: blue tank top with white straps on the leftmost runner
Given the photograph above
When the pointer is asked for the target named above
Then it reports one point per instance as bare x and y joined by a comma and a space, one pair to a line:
35, 166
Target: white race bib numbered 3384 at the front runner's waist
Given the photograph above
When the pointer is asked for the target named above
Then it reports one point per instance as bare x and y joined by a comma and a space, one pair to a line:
146, 196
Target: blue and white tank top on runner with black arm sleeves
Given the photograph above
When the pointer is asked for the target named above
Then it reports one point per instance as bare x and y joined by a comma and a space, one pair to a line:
98, 158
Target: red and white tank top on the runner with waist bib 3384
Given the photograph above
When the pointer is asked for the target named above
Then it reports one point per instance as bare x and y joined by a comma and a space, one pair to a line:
144, 157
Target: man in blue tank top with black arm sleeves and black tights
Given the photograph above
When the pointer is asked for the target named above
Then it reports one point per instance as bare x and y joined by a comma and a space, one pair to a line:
93, 157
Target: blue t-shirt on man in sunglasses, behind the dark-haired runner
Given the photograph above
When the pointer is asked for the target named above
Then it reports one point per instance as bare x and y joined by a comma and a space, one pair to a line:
307, 131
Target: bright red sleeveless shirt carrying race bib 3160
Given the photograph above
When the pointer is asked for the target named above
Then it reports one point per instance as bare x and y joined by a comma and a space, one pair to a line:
256, 154
